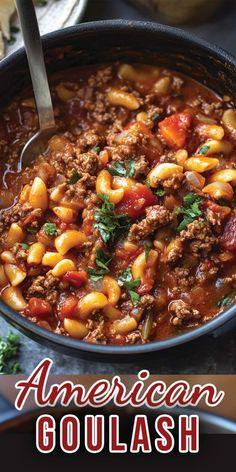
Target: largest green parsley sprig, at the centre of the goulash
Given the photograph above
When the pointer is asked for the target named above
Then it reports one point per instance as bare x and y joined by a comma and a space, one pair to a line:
110, 224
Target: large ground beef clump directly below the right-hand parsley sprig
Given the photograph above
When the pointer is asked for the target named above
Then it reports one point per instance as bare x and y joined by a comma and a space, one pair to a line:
200, 236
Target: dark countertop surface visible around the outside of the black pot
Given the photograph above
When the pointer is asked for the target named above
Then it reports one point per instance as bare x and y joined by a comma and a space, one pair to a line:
209, 355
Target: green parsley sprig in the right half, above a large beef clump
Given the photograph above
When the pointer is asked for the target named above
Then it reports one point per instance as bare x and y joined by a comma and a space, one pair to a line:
191, 211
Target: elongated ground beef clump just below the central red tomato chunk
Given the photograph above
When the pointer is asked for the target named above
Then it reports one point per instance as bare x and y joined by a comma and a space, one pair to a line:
156, 216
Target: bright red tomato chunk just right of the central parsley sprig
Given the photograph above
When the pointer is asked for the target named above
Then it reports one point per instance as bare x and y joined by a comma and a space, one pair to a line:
136, 200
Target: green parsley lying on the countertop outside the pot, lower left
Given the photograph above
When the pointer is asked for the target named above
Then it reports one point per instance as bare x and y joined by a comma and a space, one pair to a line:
9, 348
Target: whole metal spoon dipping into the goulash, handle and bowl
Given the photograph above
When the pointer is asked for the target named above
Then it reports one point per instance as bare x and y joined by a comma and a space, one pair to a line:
30, 31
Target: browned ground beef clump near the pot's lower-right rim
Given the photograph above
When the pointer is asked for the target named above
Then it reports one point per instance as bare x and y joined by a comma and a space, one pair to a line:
182, 314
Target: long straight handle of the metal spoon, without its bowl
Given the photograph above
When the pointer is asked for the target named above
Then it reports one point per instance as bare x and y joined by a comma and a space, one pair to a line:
34, 51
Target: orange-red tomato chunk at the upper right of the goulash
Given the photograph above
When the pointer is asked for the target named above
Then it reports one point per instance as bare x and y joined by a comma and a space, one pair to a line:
174, 129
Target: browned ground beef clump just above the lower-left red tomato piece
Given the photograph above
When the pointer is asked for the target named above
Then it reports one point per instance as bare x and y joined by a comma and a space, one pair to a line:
45, 287
